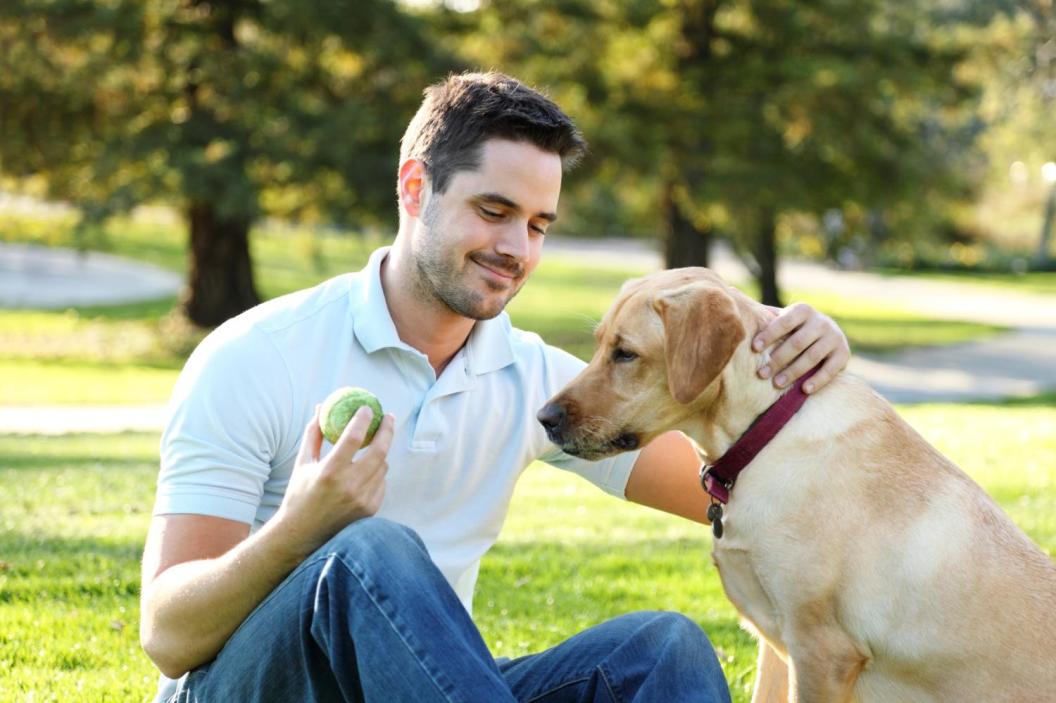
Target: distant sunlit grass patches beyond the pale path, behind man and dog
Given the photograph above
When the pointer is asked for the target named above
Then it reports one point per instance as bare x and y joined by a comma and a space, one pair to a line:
131, 354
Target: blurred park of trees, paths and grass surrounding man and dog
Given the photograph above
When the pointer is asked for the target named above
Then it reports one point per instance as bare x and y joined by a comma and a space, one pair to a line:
168, 164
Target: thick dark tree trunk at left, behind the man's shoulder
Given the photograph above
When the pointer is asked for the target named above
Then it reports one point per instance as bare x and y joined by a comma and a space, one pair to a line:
221, 280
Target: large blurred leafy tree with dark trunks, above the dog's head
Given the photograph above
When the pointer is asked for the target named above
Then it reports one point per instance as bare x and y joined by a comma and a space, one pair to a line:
734, 113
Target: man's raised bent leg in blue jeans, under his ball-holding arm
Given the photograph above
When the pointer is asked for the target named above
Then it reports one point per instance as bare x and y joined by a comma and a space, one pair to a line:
369, 617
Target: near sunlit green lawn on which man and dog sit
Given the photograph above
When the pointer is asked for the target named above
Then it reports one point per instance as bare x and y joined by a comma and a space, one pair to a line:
77, 511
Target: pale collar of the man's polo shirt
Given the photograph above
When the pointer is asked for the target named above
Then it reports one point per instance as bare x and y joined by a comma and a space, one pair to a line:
488, 349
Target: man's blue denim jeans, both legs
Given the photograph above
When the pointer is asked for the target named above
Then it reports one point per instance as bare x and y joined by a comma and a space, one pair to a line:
370, 618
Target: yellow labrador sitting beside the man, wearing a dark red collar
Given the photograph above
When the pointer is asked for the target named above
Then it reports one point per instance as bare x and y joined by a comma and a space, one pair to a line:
875, 567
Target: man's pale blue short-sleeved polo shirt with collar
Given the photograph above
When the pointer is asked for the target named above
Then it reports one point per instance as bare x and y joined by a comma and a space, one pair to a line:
241, 405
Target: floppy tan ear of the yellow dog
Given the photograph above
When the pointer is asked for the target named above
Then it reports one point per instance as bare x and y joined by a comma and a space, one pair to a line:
702, 331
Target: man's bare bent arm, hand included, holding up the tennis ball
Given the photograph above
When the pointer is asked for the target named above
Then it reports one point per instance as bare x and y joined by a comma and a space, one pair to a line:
203, 576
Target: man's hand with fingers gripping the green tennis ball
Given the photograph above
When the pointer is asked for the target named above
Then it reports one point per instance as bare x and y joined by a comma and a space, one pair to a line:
325, 497
